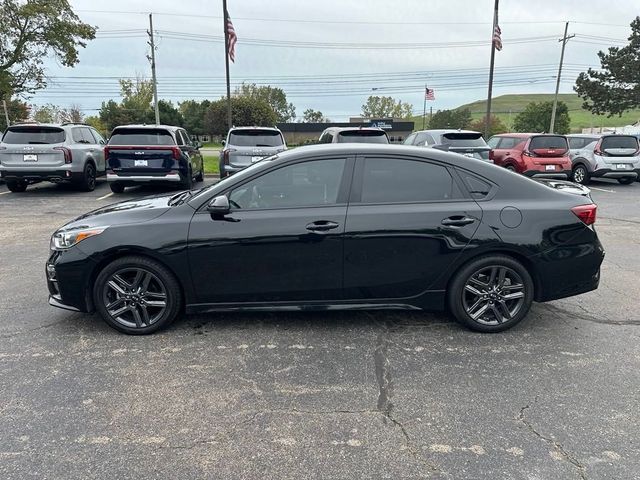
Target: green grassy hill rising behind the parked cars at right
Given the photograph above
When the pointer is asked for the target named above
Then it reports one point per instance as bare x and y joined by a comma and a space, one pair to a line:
508, 106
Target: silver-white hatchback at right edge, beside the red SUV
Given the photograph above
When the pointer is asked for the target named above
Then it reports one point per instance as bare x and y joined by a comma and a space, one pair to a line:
609, 156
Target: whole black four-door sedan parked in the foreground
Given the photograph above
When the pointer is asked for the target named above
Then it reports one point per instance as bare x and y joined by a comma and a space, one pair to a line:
348, 226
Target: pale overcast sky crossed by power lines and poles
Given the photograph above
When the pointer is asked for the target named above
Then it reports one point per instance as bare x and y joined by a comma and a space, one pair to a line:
331, 55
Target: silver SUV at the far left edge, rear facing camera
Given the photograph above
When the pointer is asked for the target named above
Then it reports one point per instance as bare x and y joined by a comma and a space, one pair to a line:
36, 152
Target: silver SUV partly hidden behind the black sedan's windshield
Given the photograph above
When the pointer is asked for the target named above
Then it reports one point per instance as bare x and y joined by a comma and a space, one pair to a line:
247, 145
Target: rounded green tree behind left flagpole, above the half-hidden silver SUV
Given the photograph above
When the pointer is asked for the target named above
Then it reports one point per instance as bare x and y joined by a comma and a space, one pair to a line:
245, 112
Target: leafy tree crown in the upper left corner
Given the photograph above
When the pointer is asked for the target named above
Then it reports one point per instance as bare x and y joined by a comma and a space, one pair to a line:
31, 31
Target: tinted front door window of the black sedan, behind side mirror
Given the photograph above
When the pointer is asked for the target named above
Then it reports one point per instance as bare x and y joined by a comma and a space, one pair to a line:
304, 184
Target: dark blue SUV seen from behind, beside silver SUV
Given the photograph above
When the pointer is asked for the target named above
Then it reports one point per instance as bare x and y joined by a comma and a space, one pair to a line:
157, 154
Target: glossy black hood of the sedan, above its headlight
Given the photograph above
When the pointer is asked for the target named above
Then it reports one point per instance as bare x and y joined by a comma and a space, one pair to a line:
130, 211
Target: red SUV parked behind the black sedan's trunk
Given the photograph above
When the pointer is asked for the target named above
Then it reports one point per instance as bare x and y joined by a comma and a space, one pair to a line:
533, 155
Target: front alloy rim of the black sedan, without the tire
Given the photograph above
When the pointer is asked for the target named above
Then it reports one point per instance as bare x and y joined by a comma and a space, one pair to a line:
134, 297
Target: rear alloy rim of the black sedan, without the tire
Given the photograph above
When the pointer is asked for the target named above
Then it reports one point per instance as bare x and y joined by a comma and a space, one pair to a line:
493, 295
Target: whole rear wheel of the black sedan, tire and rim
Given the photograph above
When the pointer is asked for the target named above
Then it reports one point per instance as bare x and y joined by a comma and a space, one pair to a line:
482, 275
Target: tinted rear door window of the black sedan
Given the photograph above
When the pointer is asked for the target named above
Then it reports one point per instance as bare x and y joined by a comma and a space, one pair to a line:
389, 180
